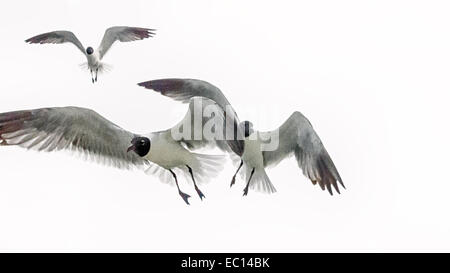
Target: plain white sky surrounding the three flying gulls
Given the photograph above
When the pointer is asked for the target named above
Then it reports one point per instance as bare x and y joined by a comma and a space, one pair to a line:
371, 76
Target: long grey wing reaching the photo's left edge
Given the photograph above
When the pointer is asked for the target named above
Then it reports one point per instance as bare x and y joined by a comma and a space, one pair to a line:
72, 128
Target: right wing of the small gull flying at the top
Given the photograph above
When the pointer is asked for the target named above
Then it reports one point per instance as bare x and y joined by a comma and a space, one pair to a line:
123, 34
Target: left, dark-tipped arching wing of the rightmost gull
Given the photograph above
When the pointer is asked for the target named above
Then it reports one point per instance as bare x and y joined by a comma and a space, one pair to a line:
185, 89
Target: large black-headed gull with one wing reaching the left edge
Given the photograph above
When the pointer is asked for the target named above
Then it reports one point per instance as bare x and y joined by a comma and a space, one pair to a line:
83, 130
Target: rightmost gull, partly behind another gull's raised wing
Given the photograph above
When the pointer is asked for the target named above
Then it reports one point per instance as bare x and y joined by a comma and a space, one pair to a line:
296, 136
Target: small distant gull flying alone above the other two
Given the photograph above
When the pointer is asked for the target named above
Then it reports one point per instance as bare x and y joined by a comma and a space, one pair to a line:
94, 58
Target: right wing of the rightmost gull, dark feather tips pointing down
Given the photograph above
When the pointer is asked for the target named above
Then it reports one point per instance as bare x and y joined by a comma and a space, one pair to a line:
297, 136
